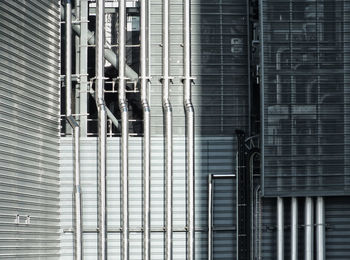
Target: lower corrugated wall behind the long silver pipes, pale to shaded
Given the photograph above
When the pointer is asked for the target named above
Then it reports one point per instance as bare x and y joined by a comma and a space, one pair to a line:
213, 155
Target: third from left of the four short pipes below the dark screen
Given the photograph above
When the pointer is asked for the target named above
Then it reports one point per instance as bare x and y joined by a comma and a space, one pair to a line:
309, 229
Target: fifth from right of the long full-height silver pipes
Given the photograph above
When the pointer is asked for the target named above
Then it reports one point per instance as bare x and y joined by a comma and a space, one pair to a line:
102, 130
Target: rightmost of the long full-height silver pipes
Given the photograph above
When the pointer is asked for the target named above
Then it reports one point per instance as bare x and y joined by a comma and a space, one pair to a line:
189, 110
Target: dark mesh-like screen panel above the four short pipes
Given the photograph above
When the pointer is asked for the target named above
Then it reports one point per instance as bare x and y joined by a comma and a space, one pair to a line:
306, 97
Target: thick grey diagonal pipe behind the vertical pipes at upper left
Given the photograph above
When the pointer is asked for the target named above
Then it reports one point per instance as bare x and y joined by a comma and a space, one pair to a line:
109, 54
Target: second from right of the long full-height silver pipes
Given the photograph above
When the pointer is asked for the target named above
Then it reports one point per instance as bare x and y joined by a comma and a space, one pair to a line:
168, 124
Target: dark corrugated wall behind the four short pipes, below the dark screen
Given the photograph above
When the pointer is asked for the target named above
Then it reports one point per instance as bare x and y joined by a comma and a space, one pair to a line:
337, 210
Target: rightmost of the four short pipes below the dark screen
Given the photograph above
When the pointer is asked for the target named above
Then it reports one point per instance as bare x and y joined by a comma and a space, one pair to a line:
320, 229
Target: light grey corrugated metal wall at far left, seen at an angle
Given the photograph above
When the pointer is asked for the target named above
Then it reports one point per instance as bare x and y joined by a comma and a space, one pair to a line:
29, 129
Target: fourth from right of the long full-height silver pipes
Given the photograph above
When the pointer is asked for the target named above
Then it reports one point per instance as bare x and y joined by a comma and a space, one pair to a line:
123, 106
